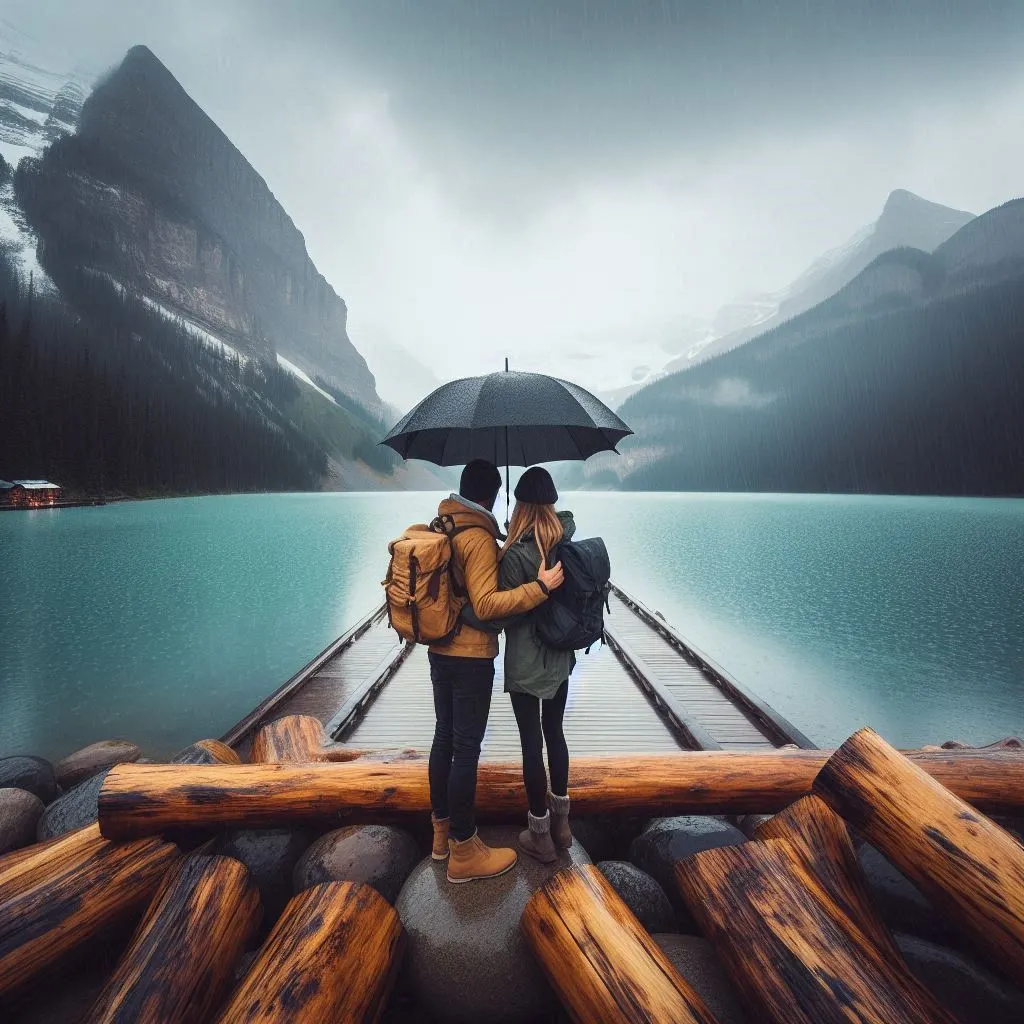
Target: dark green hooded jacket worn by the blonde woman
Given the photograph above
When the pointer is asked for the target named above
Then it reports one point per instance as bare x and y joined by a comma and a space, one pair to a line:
530, 667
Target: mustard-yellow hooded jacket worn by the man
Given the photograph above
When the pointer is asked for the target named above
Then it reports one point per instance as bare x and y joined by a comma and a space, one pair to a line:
477, 572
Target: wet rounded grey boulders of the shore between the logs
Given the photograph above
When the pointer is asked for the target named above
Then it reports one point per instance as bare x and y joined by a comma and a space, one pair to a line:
466, 958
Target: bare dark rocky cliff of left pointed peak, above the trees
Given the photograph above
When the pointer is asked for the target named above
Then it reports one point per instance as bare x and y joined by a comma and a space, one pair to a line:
151, 194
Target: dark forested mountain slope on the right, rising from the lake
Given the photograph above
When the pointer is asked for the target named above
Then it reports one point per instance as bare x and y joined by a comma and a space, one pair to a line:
909, 380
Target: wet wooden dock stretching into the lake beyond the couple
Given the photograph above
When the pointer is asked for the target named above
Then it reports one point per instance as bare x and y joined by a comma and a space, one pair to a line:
647, 691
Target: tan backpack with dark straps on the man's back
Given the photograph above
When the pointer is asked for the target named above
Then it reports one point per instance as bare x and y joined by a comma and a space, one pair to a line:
424, 599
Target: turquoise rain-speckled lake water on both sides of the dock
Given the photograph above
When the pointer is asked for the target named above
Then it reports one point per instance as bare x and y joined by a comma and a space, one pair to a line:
165, 622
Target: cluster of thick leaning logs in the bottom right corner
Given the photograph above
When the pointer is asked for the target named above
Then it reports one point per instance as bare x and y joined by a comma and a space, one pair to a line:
790, 914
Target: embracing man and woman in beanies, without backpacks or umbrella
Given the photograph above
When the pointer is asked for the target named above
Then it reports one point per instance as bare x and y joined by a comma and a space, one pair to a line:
503, 586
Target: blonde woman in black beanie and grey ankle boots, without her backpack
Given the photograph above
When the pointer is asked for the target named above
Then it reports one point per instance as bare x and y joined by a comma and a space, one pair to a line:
537, 677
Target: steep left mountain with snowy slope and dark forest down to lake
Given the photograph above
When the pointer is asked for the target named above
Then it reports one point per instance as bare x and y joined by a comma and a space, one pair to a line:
147, 270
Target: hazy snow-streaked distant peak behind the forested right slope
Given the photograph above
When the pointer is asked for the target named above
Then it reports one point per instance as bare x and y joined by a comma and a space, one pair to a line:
907, 222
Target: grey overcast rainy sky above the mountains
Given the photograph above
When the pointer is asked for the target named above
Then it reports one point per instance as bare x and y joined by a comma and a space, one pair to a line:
556, 181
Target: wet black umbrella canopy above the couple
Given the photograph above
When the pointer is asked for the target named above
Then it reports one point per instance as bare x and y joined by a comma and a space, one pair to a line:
509, 418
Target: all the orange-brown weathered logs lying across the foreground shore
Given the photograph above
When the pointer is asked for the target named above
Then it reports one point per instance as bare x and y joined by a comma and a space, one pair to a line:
789, 913
